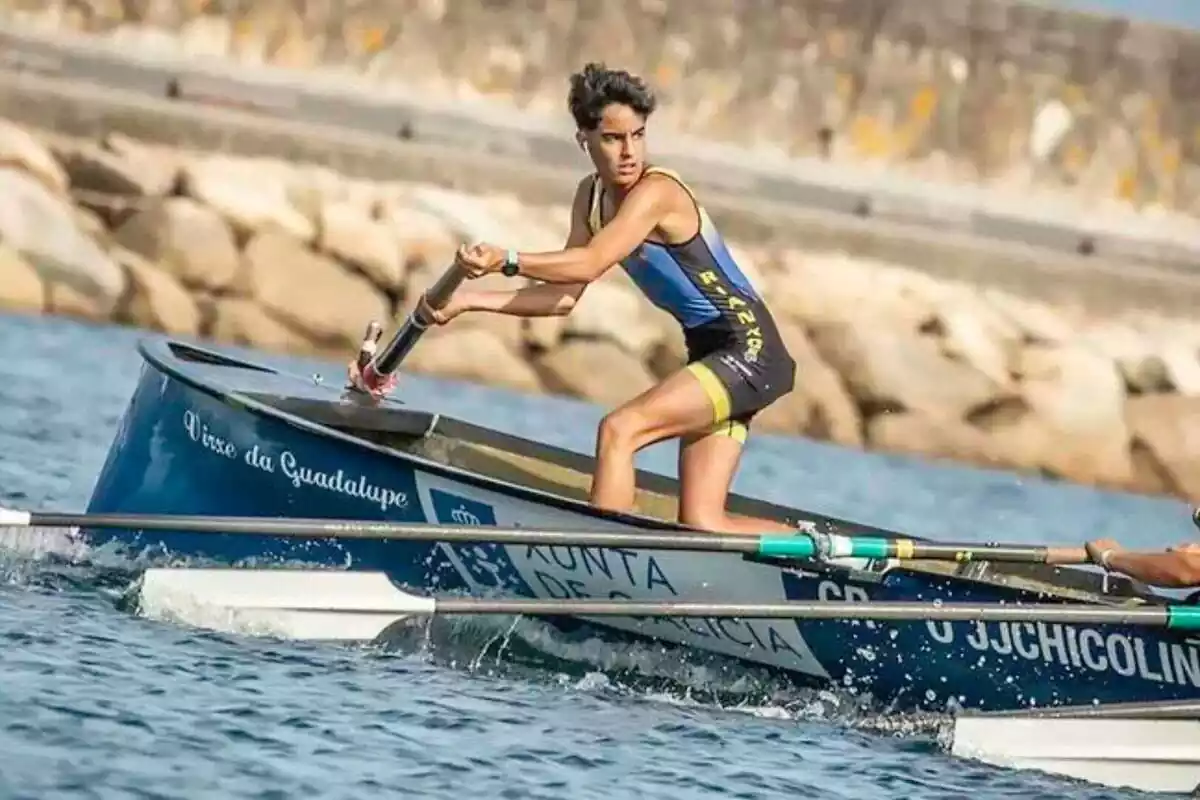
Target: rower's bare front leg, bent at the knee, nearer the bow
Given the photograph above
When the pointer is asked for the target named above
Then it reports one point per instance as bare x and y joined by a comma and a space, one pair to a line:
675, 407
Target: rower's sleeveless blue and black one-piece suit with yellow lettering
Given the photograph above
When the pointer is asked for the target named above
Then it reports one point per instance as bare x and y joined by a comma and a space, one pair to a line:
734, 346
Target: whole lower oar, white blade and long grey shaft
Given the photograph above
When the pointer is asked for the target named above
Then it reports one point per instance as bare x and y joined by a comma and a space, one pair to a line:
339, 605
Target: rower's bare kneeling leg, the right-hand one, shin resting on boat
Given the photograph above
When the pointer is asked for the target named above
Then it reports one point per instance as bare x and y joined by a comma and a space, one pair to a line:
707, 464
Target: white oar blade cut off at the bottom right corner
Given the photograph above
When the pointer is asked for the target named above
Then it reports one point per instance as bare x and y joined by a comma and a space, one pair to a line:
1141, 754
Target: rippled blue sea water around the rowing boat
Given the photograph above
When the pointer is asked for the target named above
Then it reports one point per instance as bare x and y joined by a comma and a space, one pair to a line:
98, 703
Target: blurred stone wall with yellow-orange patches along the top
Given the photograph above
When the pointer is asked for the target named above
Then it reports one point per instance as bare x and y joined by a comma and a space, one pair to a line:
1016, 97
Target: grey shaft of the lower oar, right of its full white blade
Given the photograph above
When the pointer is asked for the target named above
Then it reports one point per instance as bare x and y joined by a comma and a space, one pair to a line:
1175, 617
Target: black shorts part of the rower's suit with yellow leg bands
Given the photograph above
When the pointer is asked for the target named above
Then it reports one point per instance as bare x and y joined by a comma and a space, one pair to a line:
741, 377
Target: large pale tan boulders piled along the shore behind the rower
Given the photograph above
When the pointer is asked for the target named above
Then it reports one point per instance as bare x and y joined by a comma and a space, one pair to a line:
297, 258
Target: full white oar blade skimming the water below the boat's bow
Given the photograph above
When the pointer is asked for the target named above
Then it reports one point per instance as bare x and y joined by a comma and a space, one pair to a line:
310, 605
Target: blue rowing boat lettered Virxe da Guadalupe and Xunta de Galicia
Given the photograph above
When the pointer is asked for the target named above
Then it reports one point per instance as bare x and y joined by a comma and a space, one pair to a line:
209, 434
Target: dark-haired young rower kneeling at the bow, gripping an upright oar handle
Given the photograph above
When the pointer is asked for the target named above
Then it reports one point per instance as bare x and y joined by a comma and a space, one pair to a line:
647, 219
